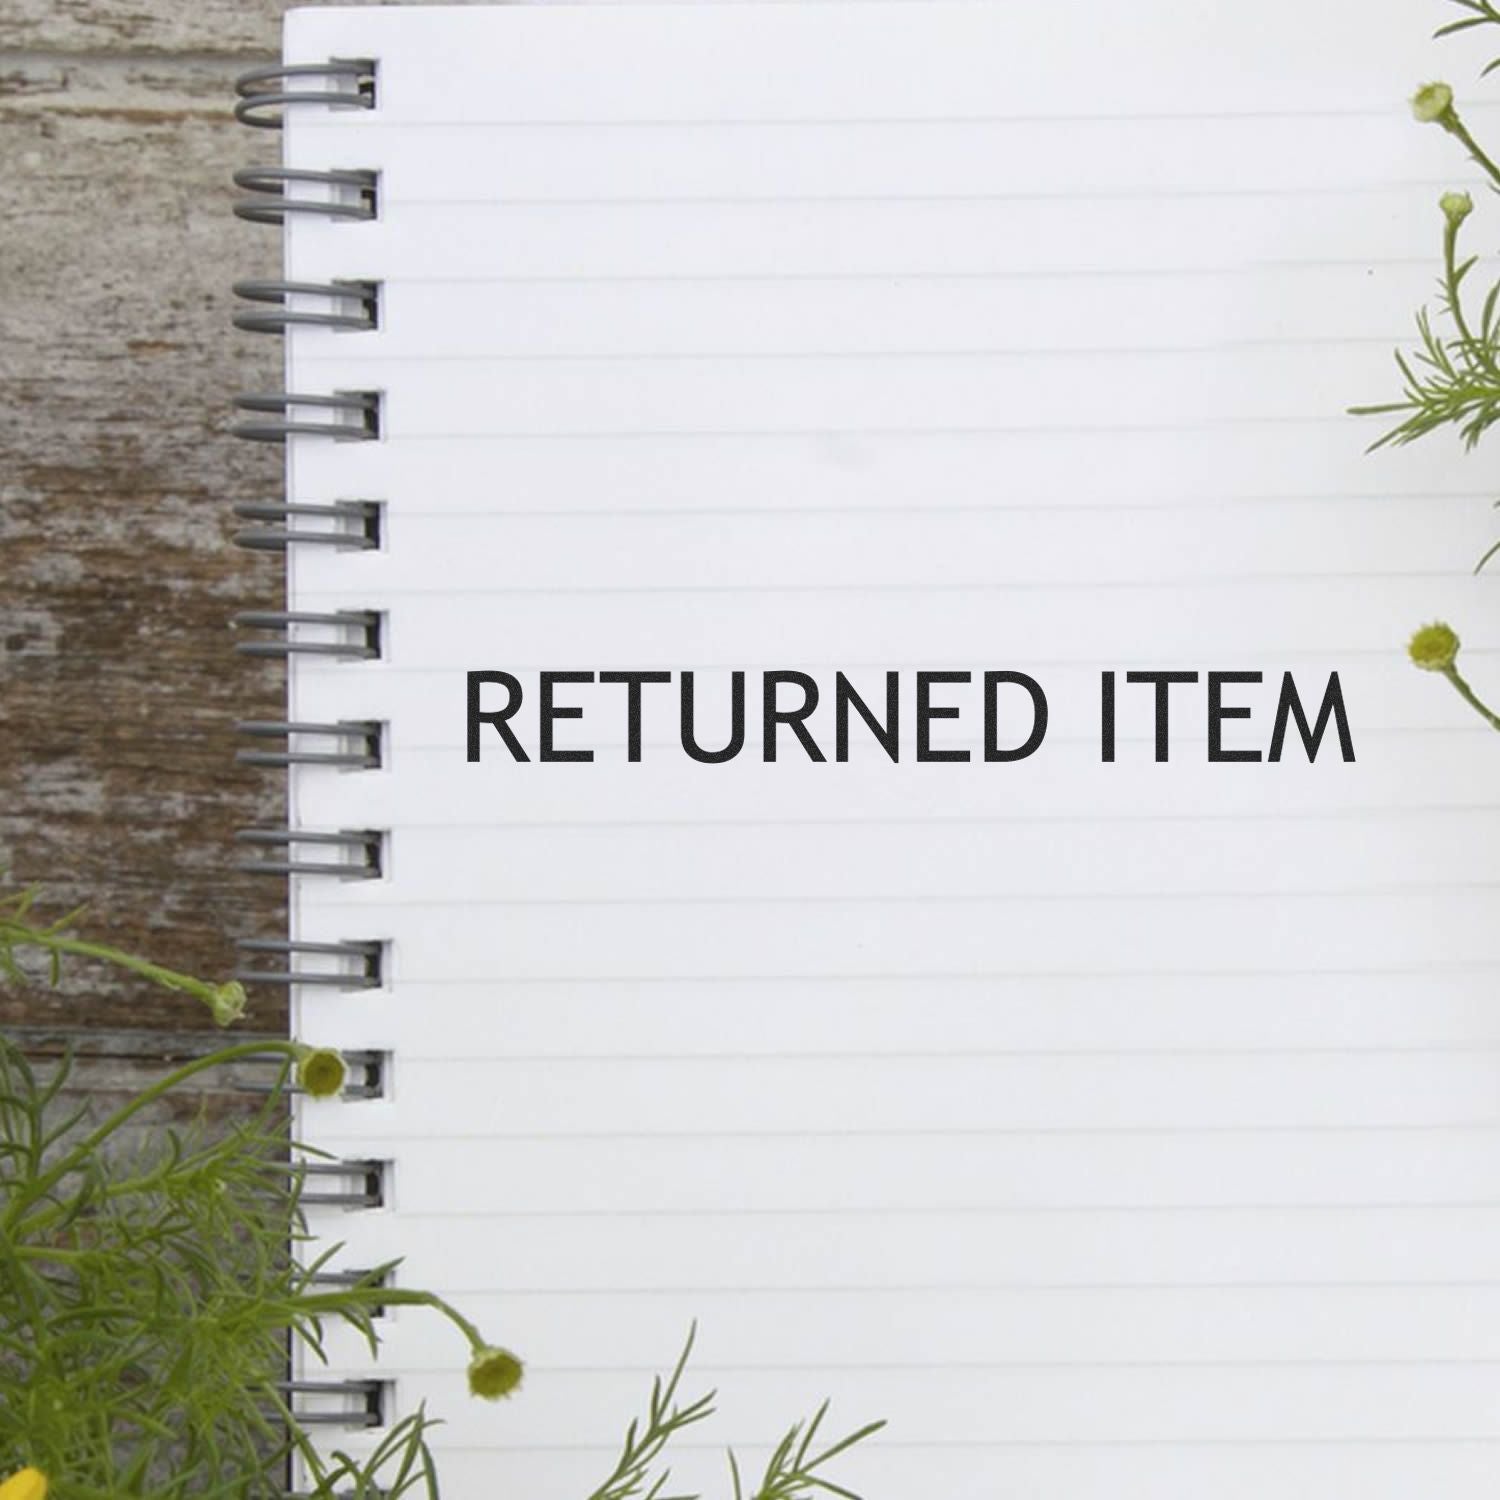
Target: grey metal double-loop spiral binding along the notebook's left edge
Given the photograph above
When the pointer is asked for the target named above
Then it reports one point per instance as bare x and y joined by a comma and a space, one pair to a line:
274, 196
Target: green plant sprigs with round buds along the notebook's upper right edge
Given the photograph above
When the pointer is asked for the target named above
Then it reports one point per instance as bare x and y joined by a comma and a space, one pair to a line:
1453, 379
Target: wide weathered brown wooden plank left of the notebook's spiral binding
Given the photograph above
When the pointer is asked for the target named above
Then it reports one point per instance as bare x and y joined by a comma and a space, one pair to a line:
118, 680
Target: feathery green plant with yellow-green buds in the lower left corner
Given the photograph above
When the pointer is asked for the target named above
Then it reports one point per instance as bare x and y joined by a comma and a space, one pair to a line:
148, 1297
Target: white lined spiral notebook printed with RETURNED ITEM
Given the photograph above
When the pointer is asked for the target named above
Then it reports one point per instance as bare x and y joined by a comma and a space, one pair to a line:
916, 1012
